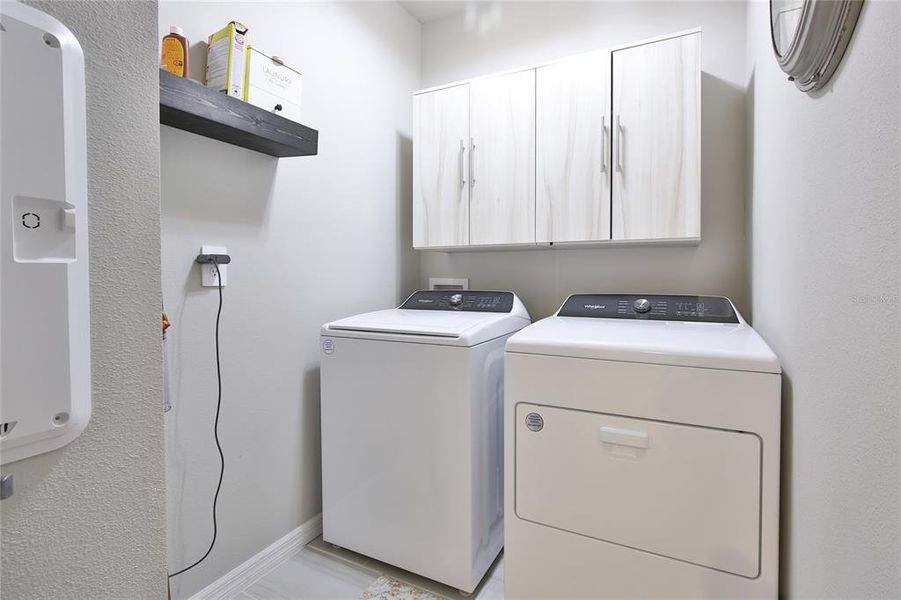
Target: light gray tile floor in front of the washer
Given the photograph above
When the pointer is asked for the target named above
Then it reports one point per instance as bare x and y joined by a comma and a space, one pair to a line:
321, 571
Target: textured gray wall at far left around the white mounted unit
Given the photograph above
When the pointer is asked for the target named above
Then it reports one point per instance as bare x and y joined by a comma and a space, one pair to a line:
87, 521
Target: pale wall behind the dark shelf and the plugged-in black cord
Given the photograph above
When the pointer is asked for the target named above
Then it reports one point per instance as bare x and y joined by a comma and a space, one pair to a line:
312, 239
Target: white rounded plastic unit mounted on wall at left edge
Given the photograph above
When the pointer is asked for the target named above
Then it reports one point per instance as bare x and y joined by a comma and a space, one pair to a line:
45, 384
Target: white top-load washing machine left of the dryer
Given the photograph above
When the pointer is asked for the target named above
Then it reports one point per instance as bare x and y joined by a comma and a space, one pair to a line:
412, 447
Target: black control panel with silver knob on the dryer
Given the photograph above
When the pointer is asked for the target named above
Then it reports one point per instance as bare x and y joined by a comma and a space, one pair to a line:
705, 309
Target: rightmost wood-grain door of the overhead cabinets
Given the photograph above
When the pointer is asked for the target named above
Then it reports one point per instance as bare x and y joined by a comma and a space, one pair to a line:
657, 140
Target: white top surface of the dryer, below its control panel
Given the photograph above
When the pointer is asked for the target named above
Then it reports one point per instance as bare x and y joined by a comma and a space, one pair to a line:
732, 346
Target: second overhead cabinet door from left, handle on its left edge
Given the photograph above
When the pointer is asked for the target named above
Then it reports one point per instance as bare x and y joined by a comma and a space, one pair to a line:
502, 196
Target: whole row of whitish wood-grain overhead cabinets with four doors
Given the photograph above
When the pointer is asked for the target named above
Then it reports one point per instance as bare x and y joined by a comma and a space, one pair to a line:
600, 147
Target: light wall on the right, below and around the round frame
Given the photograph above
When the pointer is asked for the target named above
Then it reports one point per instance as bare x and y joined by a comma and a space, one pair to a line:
825, 198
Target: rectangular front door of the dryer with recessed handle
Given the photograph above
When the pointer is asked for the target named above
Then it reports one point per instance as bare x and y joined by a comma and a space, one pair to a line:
681, 491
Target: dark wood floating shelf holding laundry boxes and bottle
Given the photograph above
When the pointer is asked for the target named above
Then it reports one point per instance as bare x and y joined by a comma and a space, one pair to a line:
193, 107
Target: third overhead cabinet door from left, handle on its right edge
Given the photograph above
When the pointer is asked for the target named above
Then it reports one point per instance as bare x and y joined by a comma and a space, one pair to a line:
573, 150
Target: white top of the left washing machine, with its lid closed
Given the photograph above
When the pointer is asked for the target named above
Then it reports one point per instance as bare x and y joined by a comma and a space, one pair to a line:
431, 325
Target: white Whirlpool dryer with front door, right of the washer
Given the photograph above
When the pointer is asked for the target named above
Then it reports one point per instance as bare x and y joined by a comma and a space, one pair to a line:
642, 452
